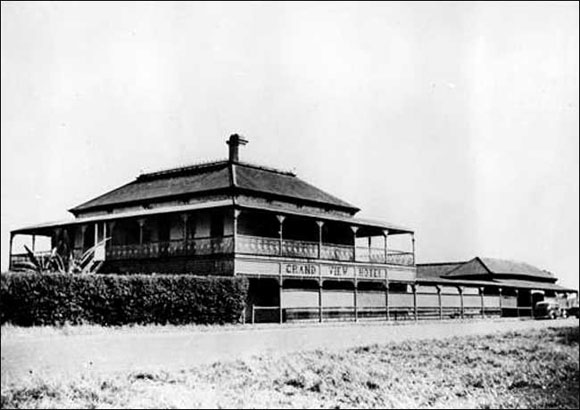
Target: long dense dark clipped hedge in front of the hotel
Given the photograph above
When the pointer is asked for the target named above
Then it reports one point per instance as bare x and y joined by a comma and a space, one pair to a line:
28, 299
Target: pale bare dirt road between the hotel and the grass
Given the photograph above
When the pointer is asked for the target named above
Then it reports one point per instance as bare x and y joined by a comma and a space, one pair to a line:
121, 350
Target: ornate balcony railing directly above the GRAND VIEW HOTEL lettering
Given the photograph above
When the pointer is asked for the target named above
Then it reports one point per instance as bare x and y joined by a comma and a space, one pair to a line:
256, 245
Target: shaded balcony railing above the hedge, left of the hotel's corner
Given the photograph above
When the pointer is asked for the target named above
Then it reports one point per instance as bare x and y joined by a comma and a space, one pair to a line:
198, 246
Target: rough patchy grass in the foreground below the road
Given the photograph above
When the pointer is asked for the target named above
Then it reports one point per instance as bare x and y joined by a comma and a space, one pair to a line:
527, 369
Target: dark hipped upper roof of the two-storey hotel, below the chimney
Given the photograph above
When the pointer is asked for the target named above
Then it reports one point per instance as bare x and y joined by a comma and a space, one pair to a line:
221, 176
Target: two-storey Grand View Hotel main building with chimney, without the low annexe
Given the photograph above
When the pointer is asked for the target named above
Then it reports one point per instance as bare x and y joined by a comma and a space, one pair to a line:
300, 246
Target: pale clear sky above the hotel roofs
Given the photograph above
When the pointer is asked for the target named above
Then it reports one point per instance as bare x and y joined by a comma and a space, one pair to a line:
457, 120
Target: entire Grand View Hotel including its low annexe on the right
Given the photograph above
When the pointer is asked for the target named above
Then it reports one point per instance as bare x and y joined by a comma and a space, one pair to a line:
306, 254
